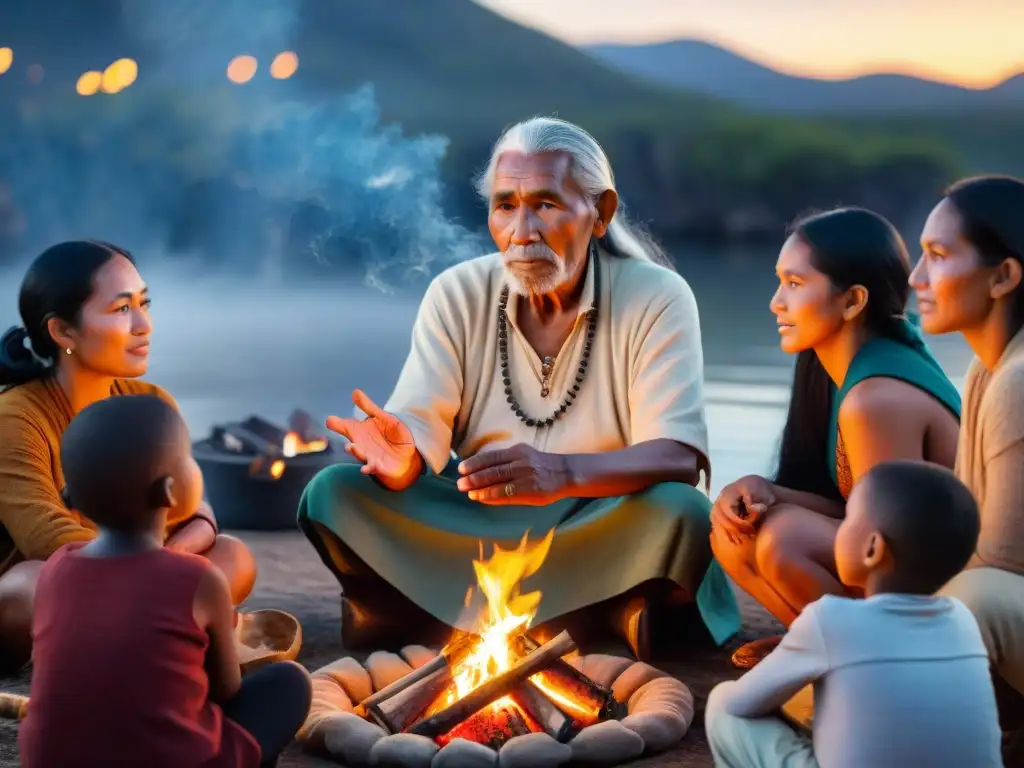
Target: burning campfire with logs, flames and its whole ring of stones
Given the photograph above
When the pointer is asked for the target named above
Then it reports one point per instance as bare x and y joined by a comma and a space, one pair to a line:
496, 695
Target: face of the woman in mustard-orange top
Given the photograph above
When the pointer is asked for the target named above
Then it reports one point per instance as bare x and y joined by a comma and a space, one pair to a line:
112, 337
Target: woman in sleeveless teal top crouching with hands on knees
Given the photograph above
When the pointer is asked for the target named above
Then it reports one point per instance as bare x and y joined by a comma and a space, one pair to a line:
867, 391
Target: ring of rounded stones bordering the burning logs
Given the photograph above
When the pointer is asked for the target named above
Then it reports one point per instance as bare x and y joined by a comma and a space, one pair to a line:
660, 707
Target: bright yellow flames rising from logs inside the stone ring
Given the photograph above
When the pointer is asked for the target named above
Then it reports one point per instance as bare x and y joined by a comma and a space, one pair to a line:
508, 612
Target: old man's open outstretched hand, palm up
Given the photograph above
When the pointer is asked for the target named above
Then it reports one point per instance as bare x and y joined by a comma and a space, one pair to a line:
381, 443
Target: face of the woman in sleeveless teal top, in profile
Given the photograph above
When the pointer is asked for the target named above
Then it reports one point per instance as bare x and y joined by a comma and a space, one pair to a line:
806, 306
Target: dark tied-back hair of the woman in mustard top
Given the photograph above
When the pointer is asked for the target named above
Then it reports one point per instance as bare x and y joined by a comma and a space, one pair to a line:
58, 284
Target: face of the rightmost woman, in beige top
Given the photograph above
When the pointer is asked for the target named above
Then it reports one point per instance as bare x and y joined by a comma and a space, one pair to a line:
954, 287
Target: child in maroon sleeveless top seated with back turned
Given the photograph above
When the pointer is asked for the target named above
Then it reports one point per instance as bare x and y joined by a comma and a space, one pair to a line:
135, 645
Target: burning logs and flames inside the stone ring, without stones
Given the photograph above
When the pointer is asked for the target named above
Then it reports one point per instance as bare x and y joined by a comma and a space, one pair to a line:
497, 682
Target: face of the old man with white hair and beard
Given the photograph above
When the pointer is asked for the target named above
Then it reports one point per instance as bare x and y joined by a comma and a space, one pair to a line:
541, 221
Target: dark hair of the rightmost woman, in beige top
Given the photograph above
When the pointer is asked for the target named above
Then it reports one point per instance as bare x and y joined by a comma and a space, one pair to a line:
992, 210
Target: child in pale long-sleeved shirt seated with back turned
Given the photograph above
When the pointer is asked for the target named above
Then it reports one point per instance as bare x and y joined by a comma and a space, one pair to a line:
902, 678
